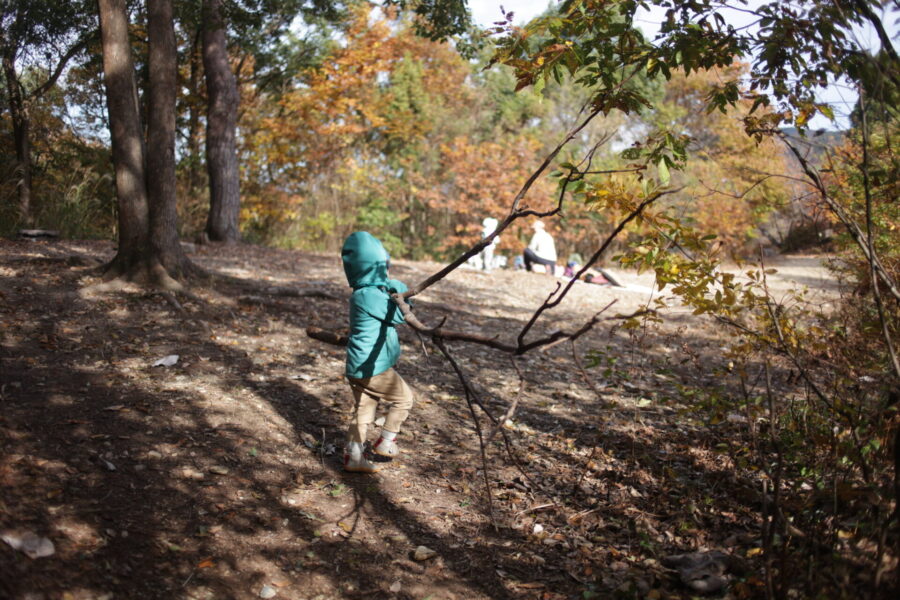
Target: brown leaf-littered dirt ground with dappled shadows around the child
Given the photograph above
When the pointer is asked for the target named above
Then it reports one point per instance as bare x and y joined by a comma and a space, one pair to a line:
220, 476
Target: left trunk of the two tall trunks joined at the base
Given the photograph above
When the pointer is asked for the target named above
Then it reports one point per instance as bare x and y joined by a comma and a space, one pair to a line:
127, 143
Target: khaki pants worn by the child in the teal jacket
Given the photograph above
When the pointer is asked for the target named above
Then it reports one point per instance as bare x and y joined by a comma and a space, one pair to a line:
368, 392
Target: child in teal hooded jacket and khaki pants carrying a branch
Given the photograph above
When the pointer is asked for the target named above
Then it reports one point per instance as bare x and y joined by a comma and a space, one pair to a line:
372, 350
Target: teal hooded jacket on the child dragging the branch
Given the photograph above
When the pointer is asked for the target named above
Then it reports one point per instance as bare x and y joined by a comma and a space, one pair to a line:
373, 346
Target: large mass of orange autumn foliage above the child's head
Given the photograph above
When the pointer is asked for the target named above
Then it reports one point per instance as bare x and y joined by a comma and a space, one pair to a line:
380, 137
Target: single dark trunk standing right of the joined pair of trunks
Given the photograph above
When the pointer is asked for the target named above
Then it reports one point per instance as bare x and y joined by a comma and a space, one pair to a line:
221, 121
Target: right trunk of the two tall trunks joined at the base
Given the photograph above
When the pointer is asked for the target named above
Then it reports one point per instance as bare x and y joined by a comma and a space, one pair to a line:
161, 190
